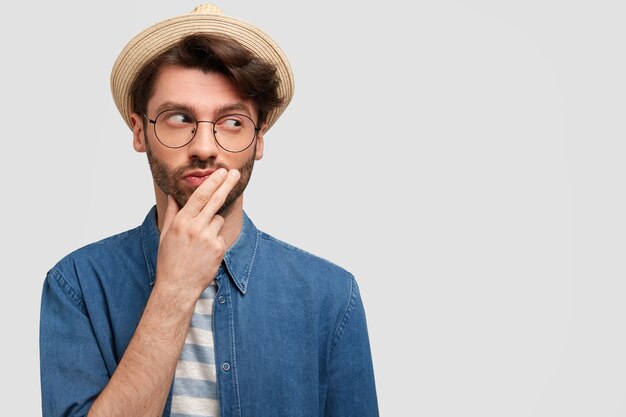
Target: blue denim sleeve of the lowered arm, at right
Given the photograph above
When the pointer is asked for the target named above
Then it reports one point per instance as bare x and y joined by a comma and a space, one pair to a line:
351, 388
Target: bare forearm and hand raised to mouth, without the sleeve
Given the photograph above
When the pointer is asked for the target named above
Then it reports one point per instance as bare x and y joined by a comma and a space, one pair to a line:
190, 252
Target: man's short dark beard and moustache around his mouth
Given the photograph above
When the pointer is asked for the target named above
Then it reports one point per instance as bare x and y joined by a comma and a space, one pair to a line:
169, 180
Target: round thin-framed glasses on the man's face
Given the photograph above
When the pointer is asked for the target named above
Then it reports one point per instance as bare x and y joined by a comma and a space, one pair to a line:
176, 128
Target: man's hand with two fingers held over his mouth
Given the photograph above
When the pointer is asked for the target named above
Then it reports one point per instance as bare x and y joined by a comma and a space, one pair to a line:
191, 247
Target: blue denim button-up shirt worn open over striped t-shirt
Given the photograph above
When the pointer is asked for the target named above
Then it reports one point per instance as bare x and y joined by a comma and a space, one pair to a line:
290, 332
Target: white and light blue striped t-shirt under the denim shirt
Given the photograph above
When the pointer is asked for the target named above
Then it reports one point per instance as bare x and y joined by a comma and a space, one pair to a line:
195, 390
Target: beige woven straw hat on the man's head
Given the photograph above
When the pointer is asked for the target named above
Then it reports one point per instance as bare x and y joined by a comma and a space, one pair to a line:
206, 18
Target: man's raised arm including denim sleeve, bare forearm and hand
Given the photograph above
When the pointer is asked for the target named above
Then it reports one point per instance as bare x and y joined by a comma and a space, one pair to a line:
72, 371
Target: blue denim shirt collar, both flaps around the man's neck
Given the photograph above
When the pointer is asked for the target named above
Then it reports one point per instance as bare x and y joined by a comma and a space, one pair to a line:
238, 260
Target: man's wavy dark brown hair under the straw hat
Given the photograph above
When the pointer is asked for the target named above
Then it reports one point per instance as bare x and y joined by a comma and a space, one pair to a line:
251, 76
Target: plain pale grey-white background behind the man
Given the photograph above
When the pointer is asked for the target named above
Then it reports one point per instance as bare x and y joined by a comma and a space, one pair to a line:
464, 159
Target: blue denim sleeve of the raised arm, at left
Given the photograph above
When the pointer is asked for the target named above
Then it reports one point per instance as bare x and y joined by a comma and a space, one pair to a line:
73, 372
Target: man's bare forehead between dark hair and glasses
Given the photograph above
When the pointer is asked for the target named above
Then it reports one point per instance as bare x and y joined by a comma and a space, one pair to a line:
205, 92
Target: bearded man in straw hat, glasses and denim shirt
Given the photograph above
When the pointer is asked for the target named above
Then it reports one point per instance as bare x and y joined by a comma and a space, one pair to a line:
196, 312
